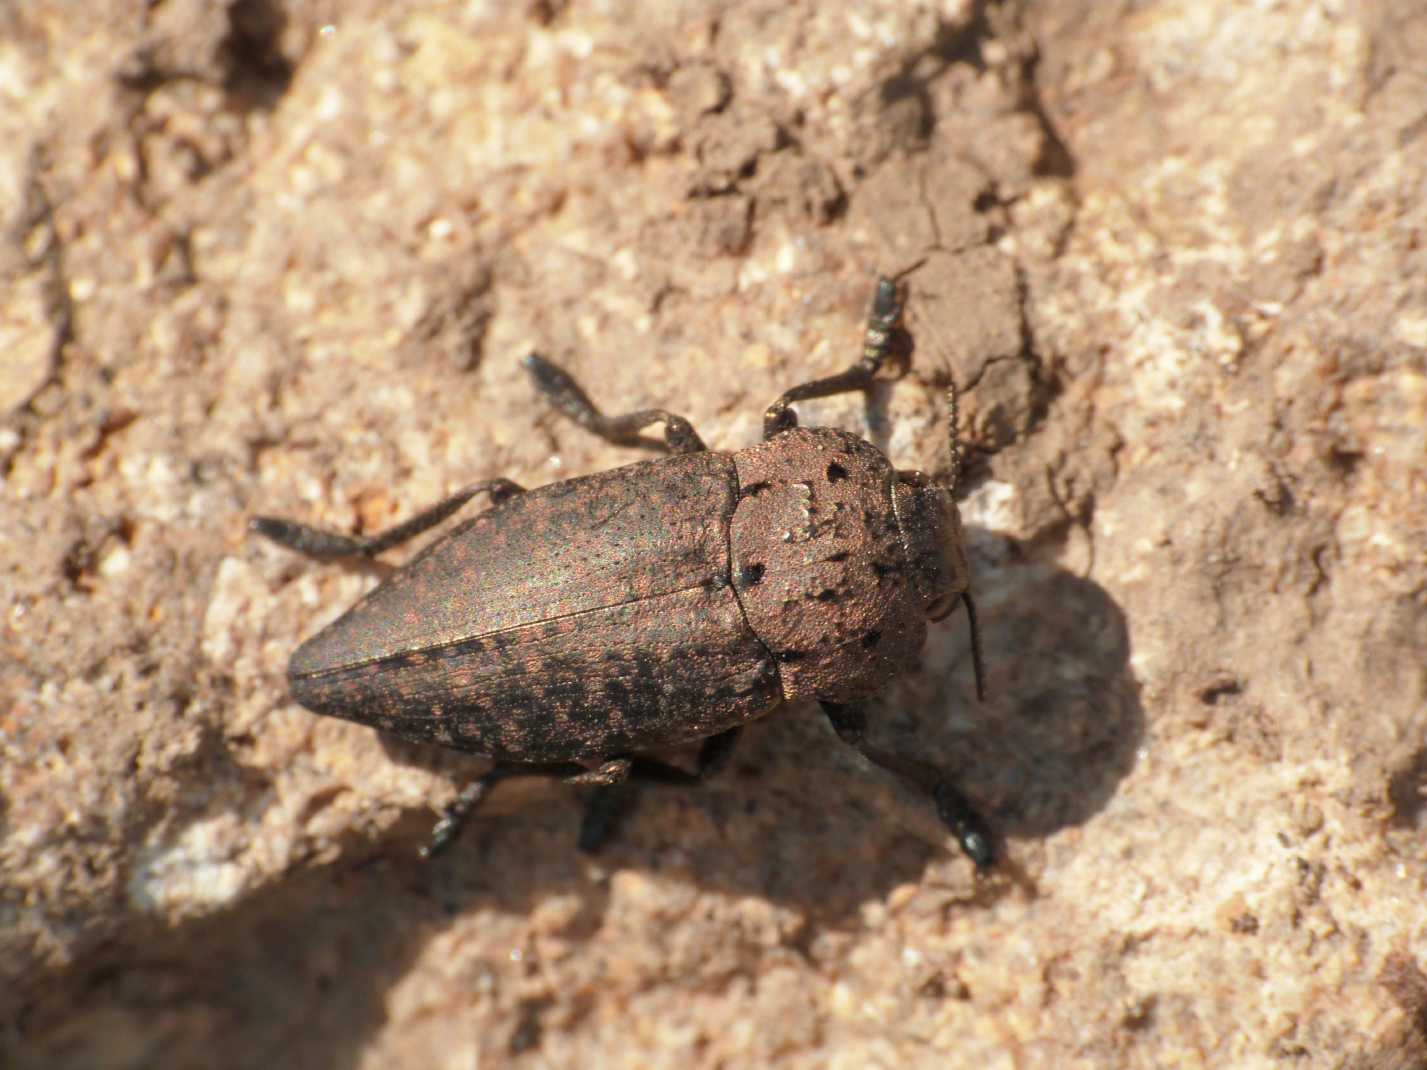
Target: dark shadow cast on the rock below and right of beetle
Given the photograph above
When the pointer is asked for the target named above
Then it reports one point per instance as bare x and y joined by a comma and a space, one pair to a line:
797, 820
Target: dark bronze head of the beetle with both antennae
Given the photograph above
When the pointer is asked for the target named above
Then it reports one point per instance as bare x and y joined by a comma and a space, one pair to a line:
934, 543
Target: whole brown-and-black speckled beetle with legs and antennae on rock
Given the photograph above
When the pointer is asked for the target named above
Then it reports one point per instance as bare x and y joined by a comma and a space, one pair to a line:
573, 628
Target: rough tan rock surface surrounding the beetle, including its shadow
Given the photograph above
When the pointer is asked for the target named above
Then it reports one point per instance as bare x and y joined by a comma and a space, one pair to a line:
285, 258
